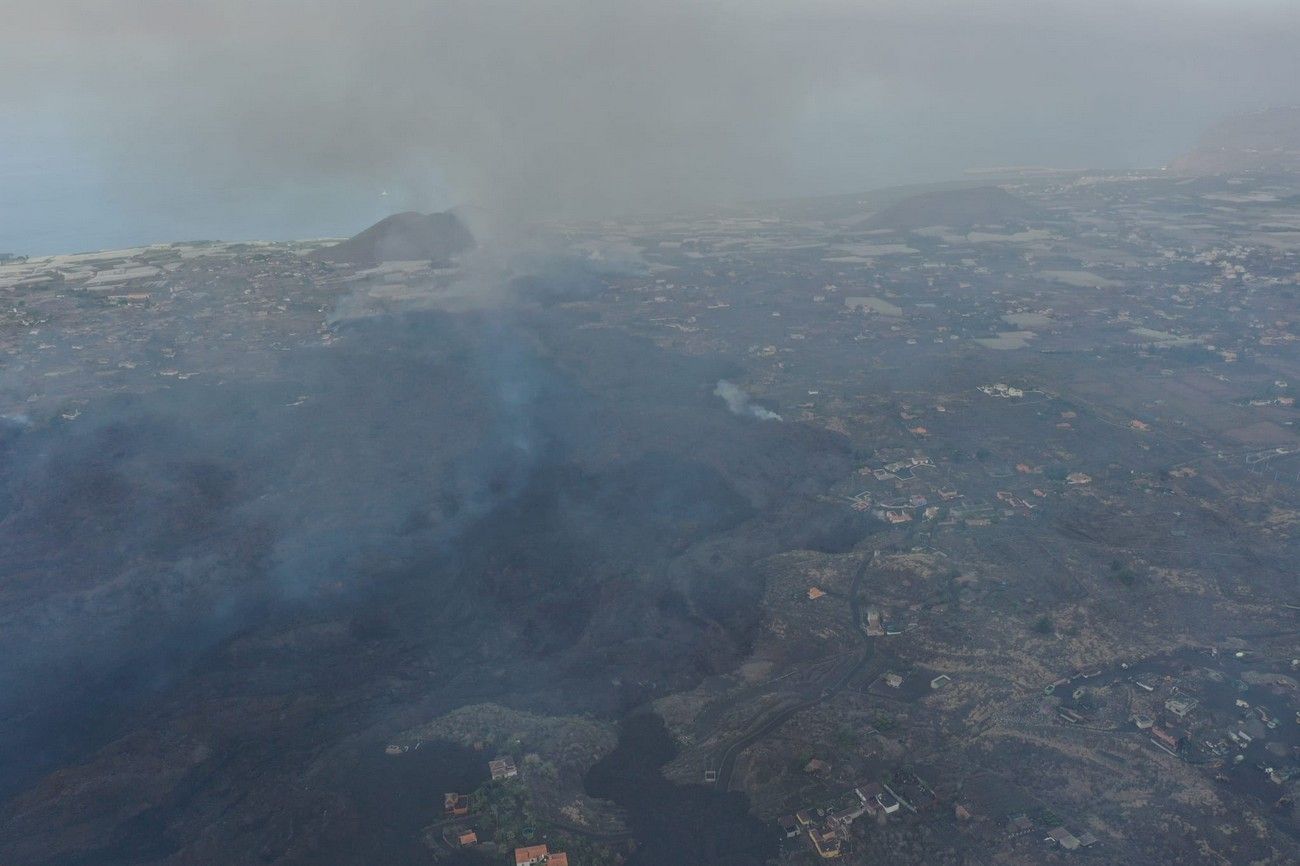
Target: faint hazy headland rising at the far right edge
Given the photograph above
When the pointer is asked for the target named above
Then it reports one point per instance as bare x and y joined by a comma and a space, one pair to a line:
1267, 141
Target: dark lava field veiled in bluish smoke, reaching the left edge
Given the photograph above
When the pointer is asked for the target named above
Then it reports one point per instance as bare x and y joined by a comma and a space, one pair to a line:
437, 509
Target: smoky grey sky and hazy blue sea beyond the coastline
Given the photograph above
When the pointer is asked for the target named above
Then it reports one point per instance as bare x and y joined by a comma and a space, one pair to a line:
132, 122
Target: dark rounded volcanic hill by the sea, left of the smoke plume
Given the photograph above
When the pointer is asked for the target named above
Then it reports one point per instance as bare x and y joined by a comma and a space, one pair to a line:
404, 237
